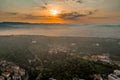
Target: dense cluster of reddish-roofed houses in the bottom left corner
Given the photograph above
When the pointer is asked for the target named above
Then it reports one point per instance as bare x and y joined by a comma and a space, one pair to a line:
10, 71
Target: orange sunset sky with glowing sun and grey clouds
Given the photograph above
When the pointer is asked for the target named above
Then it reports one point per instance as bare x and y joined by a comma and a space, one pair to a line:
60, 11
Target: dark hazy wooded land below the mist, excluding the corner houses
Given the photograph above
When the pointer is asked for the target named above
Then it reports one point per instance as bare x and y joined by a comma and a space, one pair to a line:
60, 58
